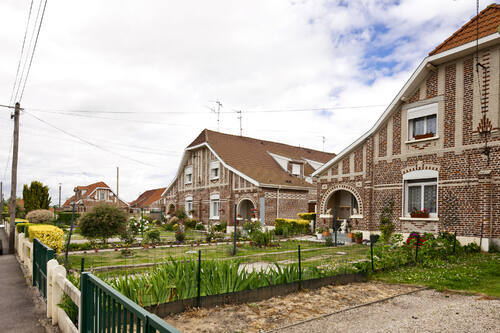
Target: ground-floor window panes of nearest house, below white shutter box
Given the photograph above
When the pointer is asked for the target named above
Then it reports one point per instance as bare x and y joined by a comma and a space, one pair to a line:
420, 194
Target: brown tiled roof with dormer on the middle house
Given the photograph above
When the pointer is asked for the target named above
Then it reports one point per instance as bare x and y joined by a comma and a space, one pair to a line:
251, 157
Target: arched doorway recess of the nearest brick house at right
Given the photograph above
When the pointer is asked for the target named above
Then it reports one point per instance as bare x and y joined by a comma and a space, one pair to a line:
342, 205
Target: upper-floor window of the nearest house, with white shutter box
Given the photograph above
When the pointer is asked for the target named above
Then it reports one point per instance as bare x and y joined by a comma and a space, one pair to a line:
422, 122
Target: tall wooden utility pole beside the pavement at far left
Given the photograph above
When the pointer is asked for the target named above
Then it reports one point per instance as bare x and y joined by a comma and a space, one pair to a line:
13, 187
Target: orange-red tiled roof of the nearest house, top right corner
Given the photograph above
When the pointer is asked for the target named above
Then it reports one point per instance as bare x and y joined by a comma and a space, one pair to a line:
489, 20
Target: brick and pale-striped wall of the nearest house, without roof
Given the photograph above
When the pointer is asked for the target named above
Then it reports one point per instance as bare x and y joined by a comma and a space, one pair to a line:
468, 190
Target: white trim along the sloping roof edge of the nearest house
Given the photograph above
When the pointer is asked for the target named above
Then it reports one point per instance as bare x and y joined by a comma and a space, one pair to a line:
411, 84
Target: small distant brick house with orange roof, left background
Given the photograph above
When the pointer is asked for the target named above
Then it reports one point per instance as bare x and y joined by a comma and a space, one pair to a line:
91, 195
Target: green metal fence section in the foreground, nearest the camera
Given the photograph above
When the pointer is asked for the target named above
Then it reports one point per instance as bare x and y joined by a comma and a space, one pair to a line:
104, 309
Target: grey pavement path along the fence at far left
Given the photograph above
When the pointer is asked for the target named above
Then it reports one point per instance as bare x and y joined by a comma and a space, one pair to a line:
20, 310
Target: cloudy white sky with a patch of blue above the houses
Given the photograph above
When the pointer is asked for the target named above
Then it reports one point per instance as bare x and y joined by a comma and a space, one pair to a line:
130, 84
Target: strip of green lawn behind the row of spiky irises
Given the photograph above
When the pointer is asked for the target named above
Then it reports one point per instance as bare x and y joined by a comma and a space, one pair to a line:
311, 254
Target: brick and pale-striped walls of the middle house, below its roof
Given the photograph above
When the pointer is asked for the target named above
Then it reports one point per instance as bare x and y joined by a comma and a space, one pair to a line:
232, 189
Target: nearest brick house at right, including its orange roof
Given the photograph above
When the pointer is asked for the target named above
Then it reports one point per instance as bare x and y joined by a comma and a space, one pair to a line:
427, 148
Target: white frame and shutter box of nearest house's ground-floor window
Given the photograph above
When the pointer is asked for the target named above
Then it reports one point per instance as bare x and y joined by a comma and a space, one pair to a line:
425, 176
